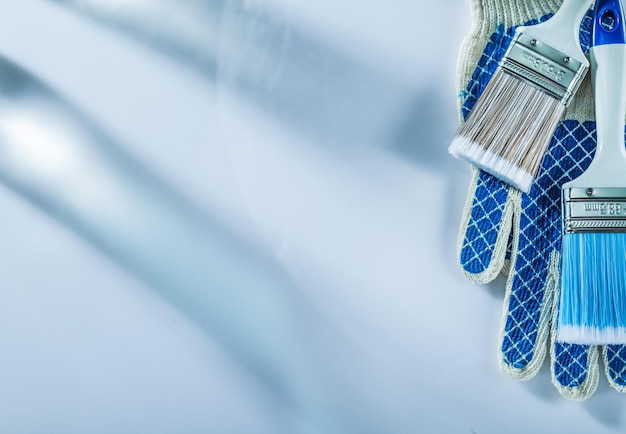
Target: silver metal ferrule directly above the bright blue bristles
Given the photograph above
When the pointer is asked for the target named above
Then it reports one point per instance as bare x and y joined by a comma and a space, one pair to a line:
594, 210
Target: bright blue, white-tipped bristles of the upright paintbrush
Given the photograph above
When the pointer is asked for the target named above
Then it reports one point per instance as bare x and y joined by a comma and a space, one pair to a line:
593, 289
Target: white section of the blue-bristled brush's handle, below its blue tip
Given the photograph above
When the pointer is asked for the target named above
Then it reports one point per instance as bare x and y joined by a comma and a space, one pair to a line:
608, 168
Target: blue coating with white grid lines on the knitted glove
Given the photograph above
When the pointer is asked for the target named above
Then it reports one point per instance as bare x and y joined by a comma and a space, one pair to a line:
569, 153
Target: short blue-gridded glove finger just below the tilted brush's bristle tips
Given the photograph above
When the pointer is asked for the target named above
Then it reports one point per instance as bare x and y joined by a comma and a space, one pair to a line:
485, 228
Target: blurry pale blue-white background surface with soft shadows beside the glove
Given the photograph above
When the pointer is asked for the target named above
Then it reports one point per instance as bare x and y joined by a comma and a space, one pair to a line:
310, 136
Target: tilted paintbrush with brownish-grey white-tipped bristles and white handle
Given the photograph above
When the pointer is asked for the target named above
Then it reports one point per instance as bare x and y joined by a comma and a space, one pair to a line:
510, 126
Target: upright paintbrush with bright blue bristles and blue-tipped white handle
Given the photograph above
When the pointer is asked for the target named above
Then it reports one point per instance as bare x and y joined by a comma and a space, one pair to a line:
593, 279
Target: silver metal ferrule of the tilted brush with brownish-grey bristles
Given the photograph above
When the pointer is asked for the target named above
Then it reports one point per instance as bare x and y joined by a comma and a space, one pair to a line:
543, 67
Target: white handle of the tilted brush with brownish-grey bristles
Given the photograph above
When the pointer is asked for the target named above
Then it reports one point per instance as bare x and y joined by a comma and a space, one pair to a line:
562, 30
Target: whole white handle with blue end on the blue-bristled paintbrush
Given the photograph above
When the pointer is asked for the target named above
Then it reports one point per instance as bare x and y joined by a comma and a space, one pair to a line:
608, 65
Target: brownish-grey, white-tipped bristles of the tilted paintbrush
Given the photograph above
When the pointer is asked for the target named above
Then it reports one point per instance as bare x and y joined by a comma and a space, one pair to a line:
508, 130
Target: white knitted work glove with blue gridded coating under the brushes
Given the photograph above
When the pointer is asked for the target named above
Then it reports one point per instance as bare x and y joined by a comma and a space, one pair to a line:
504, 230
